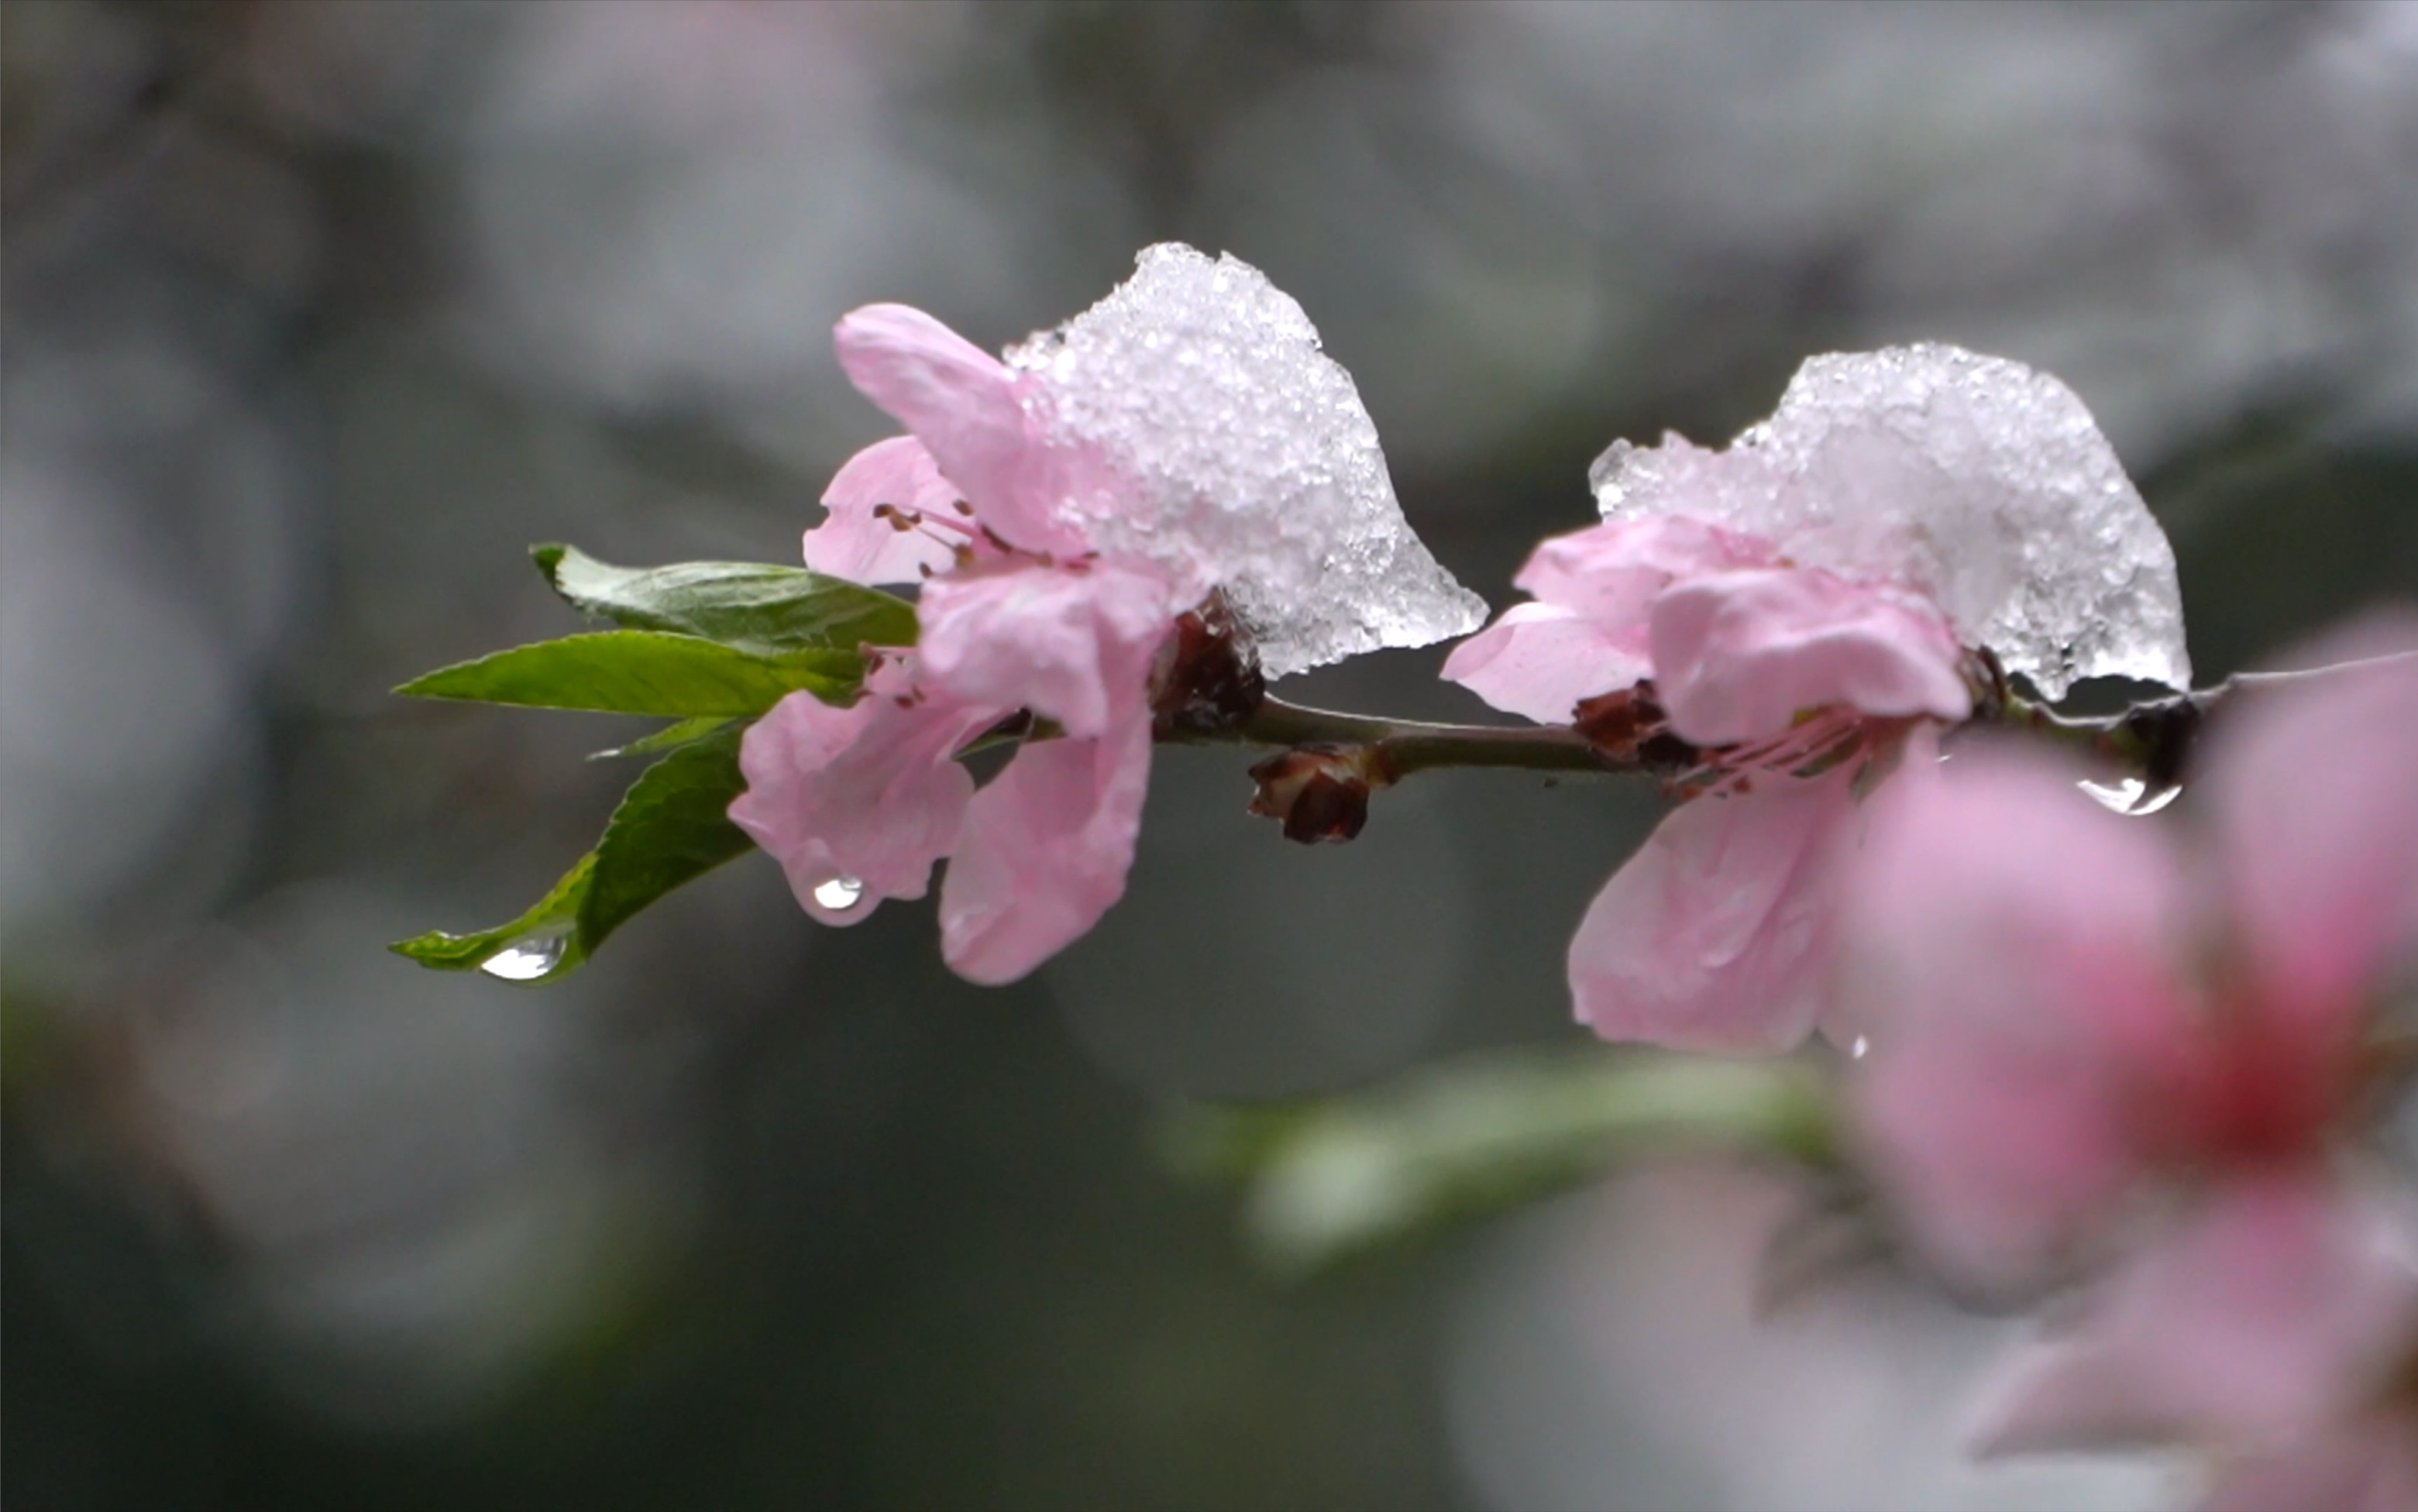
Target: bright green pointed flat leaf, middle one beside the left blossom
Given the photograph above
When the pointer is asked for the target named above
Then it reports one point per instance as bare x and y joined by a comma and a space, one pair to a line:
642, 671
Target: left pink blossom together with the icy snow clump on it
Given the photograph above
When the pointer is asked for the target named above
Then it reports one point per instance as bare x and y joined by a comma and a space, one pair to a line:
1065, 509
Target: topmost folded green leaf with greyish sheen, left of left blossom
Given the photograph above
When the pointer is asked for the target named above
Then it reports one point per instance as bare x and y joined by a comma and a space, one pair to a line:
739, 604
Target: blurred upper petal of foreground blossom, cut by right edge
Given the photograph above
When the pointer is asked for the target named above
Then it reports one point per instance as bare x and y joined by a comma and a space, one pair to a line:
2318, 819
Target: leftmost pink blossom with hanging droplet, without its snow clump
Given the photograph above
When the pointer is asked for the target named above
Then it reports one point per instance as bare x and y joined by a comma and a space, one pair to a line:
1017, 613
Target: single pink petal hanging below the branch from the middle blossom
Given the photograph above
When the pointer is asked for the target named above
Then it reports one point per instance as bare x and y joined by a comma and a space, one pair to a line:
1716, 933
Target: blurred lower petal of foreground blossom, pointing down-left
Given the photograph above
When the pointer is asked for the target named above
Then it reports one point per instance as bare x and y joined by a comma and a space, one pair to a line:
2277, 1308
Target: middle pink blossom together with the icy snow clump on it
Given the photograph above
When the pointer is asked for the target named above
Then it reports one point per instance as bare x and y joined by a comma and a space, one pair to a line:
1798, 608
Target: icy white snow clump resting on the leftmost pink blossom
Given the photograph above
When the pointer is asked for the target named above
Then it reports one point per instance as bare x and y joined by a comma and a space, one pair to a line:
1242, 456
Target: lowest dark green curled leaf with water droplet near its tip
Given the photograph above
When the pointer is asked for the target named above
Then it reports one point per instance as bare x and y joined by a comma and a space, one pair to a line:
671, 826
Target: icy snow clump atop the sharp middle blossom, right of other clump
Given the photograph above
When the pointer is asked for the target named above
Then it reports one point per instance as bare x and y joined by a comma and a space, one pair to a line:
1969, 480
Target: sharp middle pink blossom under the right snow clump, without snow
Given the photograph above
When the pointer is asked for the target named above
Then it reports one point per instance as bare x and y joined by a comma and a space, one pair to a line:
1795, 683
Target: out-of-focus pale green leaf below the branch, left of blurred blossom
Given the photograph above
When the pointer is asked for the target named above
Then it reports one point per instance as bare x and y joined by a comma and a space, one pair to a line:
1338, 1179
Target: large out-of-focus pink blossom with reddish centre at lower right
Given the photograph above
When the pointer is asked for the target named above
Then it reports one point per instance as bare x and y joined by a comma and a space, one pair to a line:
2095, 1039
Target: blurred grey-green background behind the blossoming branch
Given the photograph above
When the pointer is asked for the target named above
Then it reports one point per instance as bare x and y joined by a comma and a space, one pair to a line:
318, 313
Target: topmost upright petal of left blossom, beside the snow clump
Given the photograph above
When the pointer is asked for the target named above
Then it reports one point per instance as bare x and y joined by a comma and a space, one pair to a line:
961, 405
